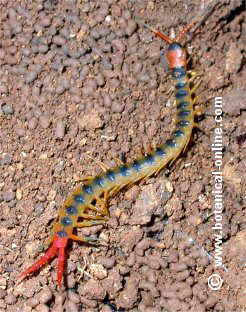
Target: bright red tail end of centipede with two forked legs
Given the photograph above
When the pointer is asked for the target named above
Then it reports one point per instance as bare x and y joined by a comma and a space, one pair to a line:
59, 244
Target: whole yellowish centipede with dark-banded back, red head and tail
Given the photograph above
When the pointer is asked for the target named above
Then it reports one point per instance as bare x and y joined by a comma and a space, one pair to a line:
88, 203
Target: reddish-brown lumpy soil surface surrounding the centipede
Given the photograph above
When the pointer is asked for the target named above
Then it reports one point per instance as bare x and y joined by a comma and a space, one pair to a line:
81, 78
